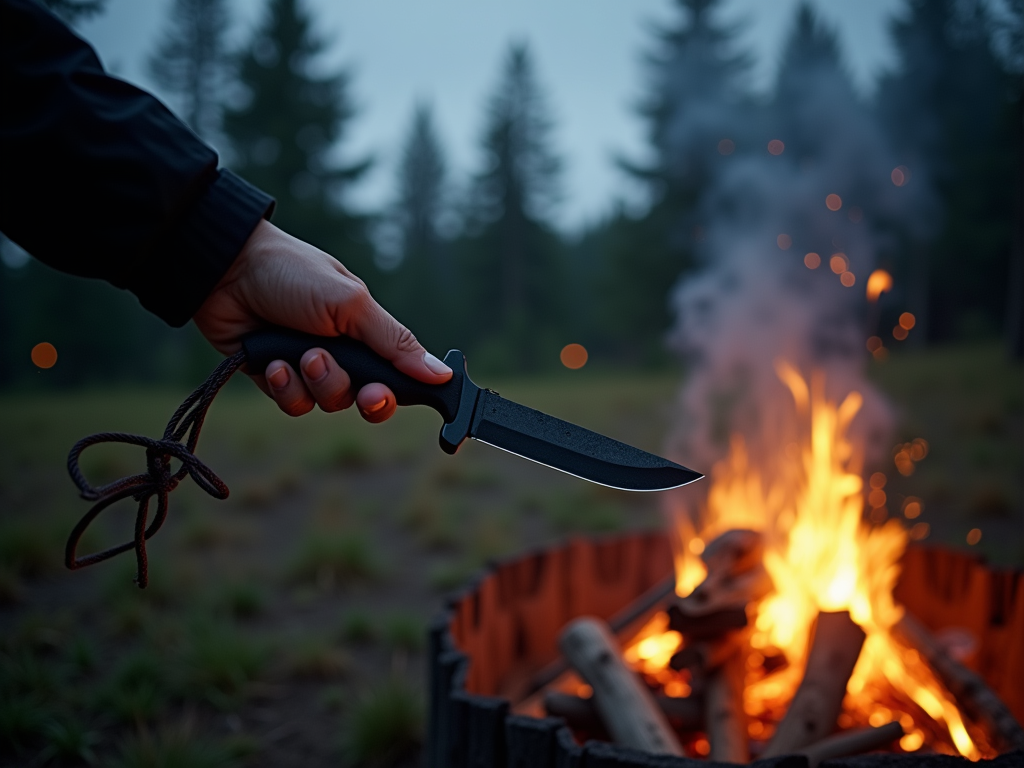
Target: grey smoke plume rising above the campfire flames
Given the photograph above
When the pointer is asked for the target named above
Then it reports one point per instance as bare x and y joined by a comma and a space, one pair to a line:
756, 302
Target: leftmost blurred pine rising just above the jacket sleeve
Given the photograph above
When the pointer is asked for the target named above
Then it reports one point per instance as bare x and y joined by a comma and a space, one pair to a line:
192, 63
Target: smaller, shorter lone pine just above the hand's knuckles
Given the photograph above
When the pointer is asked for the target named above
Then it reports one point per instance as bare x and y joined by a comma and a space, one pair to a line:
423, 281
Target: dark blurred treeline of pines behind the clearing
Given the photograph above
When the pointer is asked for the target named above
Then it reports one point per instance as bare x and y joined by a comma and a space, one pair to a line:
479, 263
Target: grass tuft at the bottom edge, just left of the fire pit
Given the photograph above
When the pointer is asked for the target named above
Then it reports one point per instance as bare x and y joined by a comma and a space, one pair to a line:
386, 726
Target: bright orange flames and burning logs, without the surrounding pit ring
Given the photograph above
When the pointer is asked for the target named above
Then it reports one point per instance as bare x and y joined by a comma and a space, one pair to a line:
786, 621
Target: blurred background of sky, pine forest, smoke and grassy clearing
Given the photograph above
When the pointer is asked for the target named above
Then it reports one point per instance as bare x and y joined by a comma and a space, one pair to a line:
616, 210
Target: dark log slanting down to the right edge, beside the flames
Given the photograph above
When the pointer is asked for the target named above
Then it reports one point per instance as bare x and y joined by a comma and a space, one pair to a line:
974, 698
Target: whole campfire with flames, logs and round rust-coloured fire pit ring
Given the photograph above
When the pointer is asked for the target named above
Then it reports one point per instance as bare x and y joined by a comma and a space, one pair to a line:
779, 632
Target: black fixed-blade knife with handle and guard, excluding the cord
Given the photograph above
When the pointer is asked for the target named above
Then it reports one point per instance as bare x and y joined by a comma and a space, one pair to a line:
483, 415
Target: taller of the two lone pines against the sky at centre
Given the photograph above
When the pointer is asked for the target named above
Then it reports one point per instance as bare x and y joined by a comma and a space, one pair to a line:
514, 268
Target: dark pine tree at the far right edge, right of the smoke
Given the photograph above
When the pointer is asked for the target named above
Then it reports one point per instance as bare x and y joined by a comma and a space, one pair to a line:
951, 108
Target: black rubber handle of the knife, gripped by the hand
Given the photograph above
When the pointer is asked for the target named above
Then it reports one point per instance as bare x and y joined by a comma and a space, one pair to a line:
362, 364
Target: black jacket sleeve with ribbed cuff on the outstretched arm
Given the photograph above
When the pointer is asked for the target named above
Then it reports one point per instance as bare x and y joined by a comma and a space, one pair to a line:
99, 179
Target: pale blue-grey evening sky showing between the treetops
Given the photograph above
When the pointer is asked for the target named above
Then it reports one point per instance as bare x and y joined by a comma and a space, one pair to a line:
448, 53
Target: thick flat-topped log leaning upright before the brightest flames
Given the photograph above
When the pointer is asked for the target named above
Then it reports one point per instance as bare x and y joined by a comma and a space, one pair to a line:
816, 707
